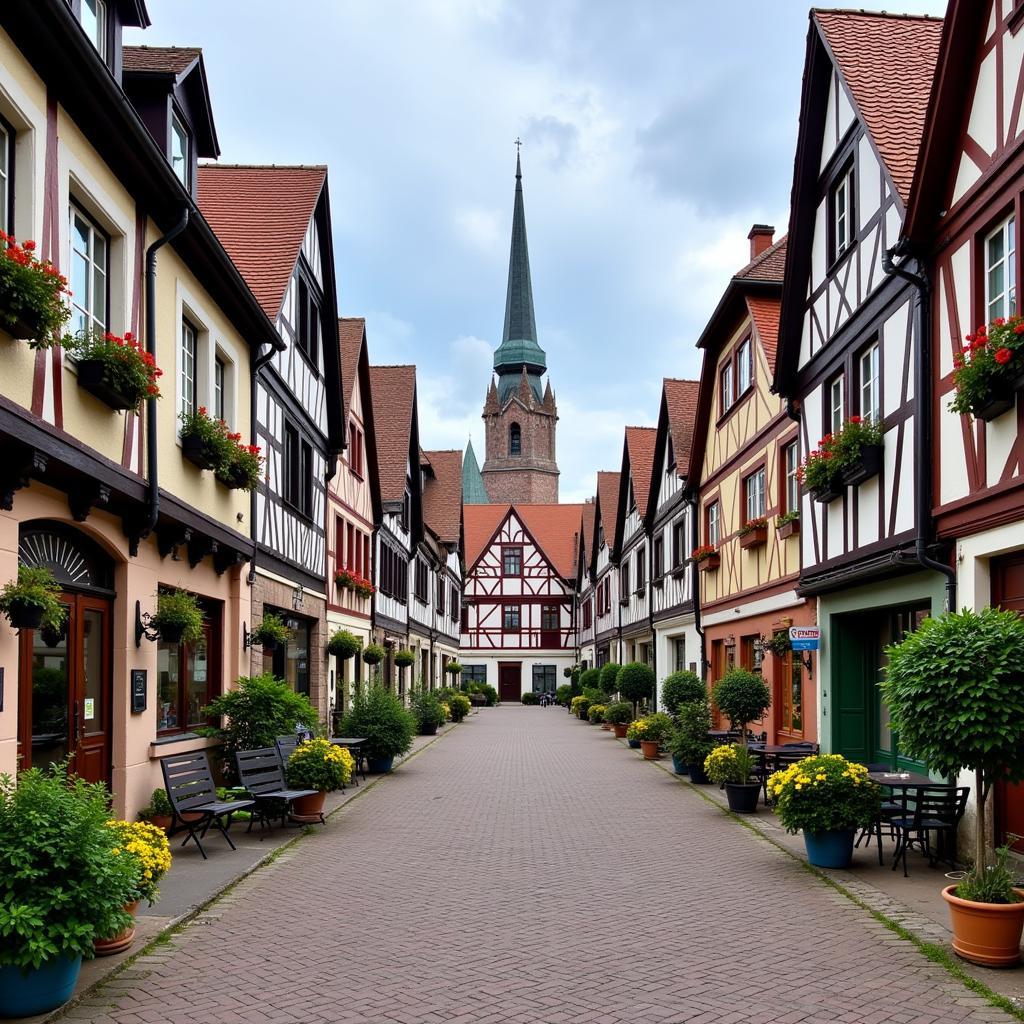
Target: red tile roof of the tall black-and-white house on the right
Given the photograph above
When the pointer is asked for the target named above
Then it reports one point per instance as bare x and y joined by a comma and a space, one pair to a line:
888, 62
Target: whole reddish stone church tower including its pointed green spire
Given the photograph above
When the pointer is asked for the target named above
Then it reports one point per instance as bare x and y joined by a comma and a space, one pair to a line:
520, 417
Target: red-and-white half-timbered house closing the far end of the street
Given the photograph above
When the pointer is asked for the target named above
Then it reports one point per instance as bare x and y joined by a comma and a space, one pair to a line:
518, 628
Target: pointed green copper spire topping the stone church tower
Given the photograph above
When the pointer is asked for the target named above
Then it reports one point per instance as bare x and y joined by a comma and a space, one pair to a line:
520, 348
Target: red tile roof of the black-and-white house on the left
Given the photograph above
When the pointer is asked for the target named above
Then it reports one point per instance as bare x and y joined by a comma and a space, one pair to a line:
262, 216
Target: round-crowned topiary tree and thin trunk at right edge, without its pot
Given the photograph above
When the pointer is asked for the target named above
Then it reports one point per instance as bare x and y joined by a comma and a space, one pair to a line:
956, 696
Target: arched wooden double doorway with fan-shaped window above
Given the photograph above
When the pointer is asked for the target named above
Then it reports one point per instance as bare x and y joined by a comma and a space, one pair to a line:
66, 681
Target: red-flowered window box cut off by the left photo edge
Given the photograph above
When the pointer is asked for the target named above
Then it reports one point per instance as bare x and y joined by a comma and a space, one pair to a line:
32, 294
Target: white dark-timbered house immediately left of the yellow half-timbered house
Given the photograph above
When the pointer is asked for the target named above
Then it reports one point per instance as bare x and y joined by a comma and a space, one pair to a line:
671, 522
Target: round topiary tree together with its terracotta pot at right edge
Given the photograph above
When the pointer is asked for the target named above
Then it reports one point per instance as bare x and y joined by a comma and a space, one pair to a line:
956, 695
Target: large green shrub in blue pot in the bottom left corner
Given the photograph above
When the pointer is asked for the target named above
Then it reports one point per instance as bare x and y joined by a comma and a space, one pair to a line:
61, 886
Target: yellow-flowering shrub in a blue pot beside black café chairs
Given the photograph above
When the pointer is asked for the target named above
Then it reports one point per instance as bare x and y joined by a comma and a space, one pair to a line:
828, 798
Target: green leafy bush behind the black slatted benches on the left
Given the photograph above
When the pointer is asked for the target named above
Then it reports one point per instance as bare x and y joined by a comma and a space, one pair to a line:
255, 714
